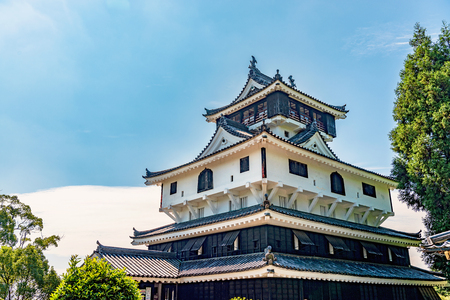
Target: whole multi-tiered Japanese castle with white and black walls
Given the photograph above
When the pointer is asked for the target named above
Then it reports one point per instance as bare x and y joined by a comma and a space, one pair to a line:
268, 211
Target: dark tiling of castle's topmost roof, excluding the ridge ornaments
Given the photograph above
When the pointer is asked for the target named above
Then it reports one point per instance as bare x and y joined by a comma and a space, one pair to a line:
265, 80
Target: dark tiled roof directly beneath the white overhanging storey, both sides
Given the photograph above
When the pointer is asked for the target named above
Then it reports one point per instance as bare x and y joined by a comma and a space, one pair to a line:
256, 208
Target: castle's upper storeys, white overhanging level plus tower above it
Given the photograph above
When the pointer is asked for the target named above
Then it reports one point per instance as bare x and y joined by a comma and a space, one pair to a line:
271, 144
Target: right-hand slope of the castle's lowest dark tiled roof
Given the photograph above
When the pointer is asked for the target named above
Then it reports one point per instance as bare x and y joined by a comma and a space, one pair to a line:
352, 268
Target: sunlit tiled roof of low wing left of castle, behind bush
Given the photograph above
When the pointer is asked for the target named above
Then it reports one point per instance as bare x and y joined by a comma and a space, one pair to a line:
141, 263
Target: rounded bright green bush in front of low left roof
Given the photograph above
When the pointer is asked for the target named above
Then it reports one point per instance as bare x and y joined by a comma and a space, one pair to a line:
95, 280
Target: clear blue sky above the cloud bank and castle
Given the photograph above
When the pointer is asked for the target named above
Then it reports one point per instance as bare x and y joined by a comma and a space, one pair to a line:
93, 92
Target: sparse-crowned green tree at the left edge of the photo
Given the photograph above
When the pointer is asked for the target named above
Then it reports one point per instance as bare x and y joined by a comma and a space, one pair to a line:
24, 270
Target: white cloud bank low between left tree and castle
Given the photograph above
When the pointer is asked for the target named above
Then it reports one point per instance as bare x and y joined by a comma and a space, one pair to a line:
85, 214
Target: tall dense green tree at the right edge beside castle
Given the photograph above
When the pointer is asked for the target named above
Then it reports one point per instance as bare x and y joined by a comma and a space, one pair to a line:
421, 137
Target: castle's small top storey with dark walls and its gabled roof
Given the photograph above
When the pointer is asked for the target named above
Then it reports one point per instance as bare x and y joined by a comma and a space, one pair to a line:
285, 109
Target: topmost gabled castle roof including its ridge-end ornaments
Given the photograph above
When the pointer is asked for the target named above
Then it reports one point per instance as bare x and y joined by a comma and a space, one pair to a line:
256, 75
